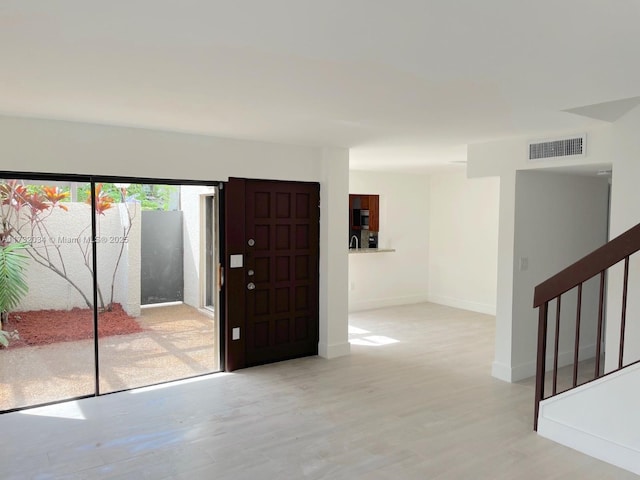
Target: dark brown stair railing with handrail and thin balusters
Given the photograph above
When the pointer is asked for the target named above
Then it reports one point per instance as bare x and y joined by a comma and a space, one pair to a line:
595, 264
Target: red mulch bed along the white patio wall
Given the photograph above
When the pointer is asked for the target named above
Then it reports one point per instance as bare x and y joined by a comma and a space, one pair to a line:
42, 327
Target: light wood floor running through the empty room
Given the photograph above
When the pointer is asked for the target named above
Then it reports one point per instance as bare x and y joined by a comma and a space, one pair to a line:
415, 400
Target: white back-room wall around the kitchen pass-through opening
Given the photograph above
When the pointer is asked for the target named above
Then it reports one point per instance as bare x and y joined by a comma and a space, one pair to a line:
393, 278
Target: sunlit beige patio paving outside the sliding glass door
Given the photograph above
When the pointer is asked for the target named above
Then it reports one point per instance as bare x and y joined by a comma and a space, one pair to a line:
177, 341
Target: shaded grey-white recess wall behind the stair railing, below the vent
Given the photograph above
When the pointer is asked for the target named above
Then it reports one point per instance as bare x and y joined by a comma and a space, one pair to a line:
559, 218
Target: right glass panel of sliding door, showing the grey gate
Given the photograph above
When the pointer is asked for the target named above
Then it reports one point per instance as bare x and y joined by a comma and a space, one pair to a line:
151, 324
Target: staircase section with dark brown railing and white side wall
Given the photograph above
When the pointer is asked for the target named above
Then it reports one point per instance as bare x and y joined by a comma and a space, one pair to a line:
596, 415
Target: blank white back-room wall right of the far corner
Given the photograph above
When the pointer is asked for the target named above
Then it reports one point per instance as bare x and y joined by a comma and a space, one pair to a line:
463, 241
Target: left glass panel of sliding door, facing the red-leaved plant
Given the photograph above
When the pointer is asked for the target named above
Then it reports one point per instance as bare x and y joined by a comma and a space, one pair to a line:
47, 321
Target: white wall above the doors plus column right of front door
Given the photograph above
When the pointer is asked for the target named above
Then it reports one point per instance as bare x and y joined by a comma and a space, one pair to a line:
69, 147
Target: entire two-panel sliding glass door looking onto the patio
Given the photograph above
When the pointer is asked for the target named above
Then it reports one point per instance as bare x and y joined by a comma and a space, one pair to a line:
108, 284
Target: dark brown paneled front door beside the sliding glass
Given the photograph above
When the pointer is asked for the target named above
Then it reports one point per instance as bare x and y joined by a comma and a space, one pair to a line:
278, 240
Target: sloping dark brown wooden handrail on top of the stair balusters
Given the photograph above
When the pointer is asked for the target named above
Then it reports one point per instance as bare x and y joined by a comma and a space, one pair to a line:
589, 266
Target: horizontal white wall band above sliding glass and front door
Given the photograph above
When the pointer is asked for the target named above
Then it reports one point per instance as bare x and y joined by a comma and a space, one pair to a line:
70, 147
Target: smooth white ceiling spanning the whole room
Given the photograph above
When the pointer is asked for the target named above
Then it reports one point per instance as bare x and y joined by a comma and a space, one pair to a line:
405, 84
